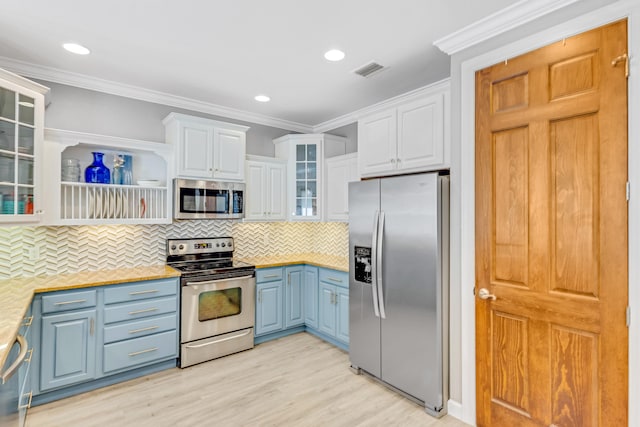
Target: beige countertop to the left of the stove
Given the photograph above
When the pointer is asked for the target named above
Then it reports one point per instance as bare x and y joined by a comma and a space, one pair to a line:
16, 294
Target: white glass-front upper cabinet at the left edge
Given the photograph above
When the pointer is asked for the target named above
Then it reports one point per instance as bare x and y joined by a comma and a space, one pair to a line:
21, 134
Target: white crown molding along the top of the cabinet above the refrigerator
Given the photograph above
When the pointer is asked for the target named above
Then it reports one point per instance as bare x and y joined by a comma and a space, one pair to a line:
354, 116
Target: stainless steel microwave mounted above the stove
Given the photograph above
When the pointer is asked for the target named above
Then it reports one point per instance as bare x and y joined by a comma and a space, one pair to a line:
201, 199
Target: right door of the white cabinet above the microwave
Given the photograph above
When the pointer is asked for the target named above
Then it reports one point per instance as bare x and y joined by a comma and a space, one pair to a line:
229, 152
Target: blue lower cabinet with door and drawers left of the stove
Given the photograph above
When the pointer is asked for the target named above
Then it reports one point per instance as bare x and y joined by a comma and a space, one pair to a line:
97, 336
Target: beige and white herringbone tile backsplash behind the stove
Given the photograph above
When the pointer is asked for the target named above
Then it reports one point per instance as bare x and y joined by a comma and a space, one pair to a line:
89, 248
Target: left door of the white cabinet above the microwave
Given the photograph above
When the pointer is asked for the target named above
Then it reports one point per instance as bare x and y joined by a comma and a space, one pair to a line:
196, 151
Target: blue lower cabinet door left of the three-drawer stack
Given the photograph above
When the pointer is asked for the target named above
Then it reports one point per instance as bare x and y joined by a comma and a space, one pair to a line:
68, 349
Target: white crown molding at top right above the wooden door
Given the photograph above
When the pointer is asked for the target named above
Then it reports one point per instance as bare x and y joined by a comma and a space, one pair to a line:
500, 22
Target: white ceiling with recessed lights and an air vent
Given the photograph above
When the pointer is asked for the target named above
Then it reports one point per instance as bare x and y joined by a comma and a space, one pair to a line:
226, 52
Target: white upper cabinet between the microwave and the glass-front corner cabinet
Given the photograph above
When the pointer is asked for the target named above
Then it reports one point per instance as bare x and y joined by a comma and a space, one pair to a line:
266, 198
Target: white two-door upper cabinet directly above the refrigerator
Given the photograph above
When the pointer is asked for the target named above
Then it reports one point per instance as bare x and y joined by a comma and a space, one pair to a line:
411, 137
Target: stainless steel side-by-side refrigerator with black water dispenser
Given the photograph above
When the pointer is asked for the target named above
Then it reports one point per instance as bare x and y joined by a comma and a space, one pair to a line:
398, 284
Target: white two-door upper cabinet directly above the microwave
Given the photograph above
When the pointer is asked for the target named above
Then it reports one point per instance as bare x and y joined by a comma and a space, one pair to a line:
207, 149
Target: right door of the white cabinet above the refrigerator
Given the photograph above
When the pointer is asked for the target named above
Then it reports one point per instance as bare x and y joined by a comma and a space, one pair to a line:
421, 133
